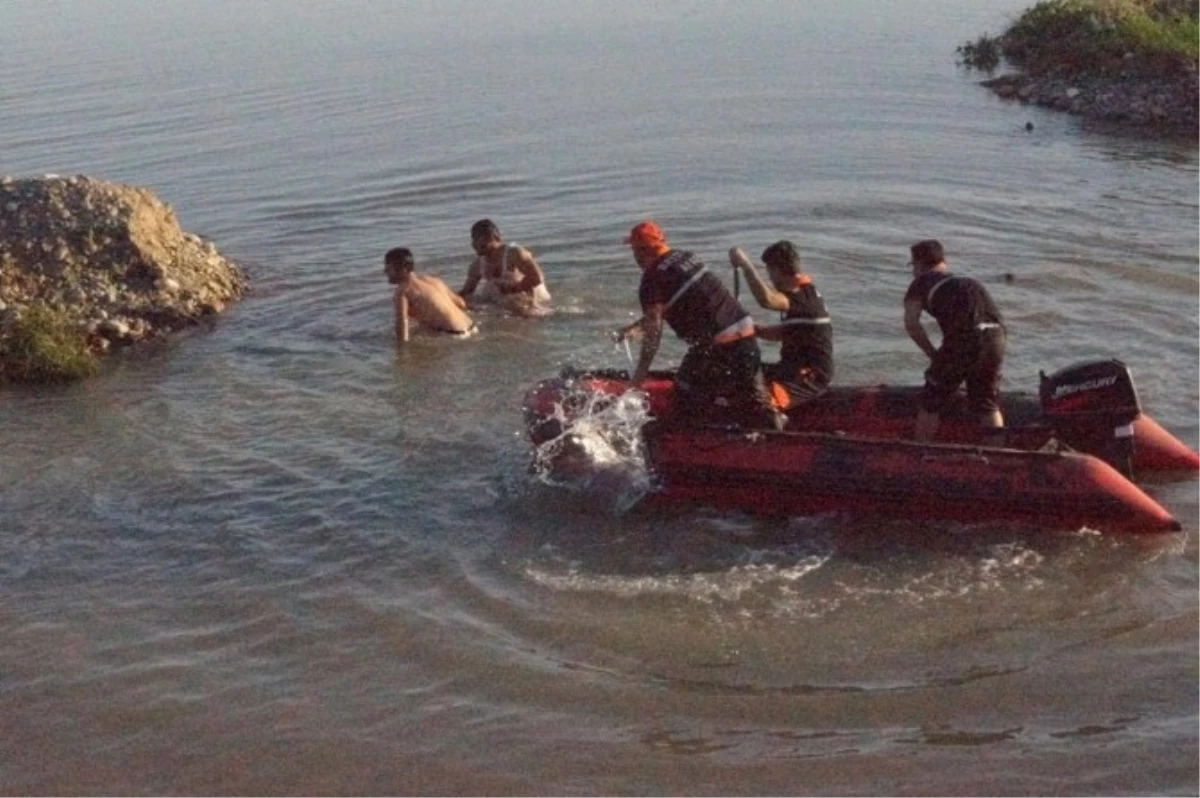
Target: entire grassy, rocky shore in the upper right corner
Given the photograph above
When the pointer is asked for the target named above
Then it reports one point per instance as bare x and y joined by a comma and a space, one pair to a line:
1133, 62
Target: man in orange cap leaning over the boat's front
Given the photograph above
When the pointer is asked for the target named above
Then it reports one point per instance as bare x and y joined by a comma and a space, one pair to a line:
723, 363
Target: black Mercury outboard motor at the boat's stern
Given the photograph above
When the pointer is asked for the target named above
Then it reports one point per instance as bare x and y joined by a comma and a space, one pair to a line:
1093, 407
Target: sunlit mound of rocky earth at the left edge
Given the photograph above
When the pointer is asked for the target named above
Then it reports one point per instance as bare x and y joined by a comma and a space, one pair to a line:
111, 259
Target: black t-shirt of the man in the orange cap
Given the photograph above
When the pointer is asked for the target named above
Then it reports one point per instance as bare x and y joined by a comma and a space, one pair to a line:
699, 304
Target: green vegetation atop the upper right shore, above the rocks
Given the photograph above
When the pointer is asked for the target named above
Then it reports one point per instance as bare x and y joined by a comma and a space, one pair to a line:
1096, 38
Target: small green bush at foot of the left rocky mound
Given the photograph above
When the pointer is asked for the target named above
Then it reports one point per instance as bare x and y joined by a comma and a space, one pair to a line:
41, 346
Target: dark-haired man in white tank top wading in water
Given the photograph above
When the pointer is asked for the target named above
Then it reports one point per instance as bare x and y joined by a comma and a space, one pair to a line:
505, 273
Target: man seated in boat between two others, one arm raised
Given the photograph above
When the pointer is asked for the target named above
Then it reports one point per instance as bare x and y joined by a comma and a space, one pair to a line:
806, 332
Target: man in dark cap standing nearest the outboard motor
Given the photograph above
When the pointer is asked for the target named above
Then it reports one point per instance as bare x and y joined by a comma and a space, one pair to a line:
974, 341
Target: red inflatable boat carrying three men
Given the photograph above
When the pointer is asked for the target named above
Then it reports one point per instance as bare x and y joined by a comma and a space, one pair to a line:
1069, 463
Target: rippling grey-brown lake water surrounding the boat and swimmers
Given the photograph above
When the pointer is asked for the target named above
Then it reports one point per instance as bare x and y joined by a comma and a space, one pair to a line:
283, 556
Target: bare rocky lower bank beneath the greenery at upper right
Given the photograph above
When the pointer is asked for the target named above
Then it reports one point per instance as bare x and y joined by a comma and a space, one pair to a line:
1166, 104
